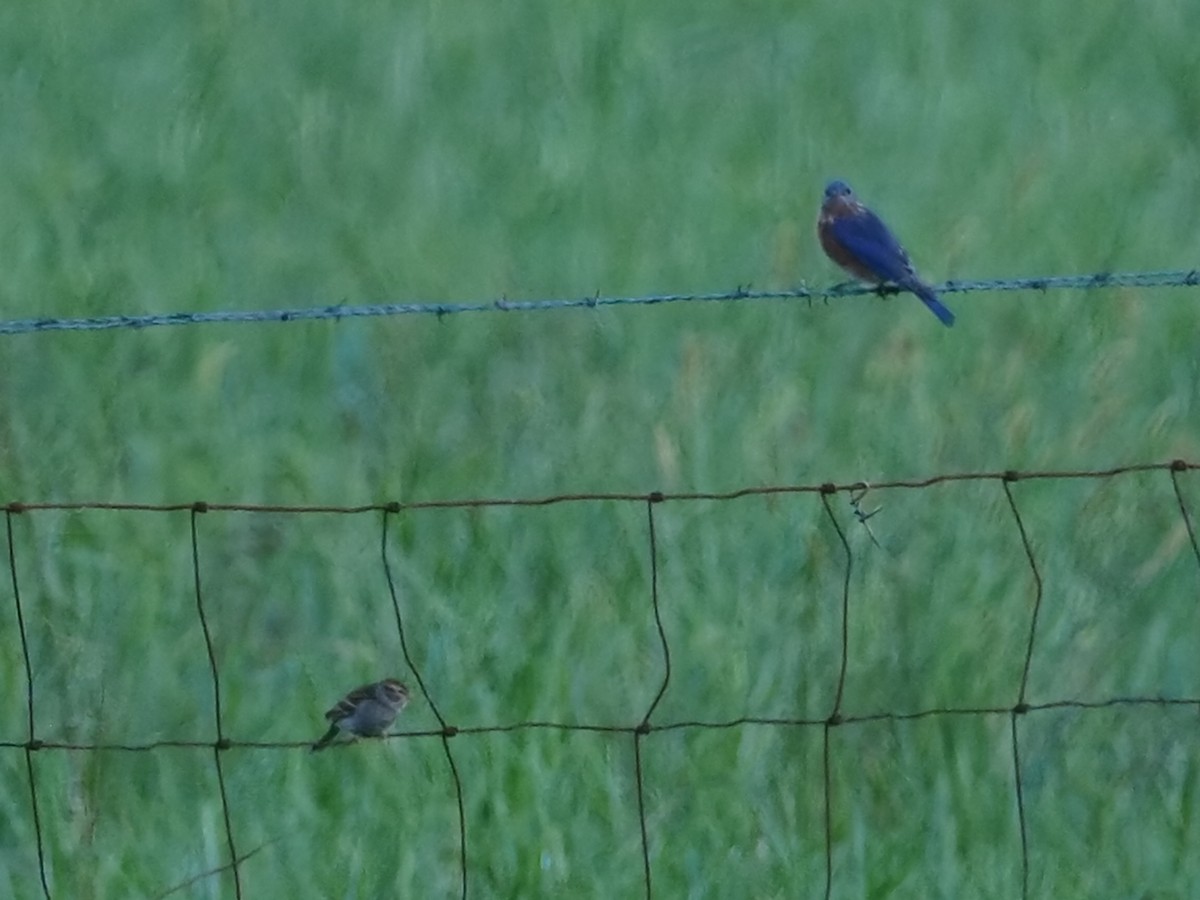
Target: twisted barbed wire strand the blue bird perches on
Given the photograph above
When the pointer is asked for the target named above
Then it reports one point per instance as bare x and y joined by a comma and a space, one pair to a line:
1177, 278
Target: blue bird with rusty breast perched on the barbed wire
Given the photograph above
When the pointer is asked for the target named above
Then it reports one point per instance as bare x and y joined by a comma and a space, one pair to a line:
859, 242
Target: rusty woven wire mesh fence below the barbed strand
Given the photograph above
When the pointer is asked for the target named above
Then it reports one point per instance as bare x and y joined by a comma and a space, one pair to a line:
638, 733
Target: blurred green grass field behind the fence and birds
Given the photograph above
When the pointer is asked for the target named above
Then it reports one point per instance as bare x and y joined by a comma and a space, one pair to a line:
175, 157
